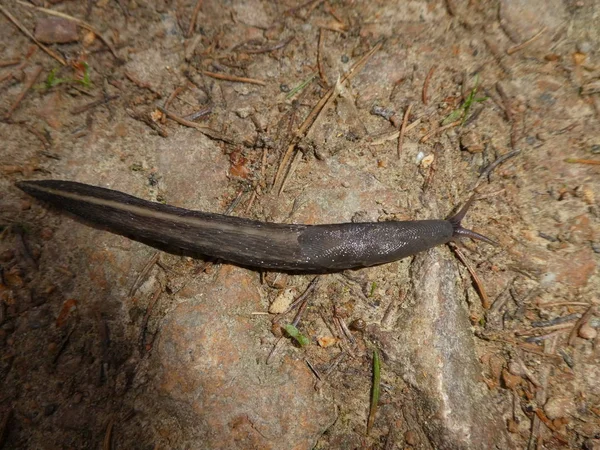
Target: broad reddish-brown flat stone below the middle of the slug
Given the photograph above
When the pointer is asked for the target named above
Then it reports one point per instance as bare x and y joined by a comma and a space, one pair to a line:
212, 373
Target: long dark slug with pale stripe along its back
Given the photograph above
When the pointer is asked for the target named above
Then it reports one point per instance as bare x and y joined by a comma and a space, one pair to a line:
300, 248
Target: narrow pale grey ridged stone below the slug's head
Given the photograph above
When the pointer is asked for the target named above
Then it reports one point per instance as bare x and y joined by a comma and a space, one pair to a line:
434, 351
